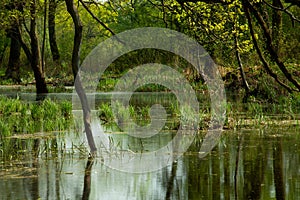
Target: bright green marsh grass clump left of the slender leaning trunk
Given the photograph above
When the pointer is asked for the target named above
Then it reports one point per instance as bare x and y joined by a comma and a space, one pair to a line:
17, 116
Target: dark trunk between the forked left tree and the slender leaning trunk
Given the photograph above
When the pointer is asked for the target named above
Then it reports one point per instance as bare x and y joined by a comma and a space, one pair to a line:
52, 32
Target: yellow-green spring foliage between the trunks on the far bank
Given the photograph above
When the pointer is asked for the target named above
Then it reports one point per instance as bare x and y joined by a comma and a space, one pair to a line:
213, 25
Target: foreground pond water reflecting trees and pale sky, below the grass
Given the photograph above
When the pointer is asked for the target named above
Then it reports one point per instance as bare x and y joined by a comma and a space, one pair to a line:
248, 164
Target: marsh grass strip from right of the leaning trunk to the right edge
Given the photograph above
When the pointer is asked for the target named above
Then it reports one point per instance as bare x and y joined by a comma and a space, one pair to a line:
239, 115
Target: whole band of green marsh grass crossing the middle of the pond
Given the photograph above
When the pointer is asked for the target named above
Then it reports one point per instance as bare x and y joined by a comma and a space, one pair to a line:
17, 116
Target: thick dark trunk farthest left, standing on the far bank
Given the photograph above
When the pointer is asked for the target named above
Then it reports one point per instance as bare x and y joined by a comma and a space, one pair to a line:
13, 68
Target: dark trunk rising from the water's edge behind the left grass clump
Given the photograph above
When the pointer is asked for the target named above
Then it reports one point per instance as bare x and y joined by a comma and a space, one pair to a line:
36, 65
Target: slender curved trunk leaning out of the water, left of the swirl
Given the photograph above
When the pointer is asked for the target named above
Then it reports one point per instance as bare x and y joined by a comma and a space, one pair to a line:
75, 67
